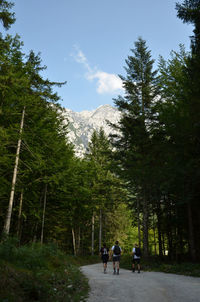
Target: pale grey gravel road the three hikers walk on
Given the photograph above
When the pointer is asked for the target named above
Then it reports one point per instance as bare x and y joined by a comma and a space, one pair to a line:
143, 287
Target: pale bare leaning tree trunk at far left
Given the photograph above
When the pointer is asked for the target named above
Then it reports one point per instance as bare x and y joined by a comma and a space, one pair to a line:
6, 229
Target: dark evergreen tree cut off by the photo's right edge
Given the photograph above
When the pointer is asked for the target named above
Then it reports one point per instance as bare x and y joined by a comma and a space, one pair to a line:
189, 12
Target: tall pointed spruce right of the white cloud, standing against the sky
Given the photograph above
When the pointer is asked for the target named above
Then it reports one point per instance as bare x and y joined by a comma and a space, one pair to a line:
133, 143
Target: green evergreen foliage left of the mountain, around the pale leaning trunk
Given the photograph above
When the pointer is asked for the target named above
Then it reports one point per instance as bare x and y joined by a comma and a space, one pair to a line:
45, 154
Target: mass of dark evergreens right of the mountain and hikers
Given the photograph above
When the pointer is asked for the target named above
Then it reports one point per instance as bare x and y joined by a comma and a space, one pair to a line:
158, 149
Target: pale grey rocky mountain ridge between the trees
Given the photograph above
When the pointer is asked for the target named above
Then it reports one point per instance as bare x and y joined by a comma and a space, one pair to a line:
82, 124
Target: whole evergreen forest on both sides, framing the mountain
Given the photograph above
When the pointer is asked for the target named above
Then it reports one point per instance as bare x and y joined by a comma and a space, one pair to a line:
141, 185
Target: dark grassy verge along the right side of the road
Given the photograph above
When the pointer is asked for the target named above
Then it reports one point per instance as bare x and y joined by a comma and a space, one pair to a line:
156, 265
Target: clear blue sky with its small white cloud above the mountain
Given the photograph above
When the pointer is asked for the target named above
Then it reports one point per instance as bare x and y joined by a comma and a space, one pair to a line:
86, 42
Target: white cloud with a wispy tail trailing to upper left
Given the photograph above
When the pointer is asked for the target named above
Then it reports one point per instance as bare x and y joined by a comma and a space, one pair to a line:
106, 82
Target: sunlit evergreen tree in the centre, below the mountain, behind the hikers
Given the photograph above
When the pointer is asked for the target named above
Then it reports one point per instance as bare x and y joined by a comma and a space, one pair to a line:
106, 188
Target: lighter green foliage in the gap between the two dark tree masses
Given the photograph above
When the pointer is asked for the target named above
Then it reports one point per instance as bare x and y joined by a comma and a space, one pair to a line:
108, 195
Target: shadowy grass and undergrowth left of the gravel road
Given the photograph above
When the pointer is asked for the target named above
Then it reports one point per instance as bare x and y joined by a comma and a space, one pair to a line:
41, 273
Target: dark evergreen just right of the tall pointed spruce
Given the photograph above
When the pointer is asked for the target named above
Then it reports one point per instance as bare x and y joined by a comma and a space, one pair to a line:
170, 136
